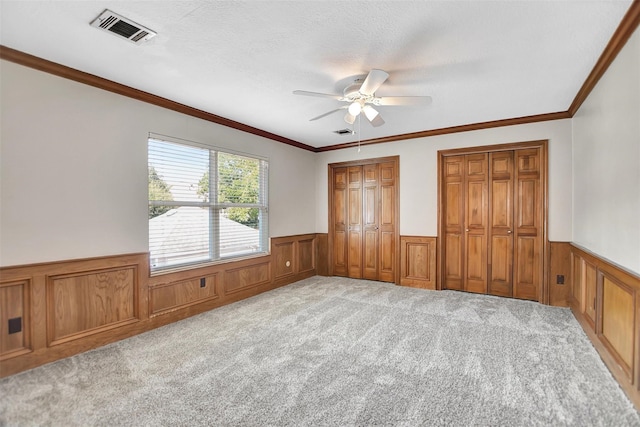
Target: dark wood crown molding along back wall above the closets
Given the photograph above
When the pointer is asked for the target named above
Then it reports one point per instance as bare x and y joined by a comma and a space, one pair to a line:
454, 129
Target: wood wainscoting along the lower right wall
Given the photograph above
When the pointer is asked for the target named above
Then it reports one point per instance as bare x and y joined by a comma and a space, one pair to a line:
605, 298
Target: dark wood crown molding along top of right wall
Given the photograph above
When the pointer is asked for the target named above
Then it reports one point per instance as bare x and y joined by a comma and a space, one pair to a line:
626, 28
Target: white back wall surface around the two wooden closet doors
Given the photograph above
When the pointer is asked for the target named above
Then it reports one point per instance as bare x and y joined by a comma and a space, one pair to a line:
419, 180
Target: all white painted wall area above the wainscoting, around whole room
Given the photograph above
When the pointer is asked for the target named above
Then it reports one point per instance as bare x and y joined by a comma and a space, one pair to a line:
73, 168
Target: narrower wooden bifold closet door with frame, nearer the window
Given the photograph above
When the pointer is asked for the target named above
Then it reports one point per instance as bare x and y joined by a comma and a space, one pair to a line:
363, 212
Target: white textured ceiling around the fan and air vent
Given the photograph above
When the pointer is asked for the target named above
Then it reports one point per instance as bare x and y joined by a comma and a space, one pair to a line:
479, 60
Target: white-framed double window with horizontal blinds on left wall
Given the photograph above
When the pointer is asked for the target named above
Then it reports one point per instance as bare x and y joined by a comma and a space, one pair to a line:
204, 205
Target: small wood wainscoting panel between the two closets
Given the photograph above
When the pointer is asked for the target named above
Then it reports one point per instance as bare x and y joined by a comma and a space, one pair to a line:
418, 262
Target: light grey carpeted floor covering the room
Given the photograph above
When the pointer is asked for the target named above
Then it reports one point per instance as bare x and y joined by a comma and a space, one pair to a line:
335, 352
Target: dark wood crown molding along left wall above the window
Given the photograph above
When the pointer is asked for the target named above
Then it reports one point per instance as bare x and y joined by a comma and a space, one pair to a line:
63, 71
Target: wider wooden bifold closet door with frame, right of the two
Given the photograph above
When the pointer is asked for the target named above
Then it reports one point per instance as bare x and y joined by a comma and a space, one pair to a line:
492, 221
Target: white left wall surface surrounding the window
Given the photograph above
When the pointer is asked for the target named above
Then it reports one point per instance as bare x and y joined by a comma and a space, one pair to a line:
73, 169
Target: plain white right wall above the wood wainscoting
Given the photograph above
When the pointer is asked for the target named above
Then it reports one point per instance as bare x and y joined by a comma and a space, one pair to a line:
606, 163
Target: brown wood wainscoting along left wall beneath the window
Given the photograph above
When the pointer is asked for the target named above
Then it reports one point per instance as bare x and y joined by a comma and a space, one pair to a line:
54, 310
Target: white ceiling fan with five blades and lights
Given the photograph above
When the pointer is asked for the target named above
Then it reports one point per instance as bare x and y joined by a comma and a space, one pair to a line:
360, 96
